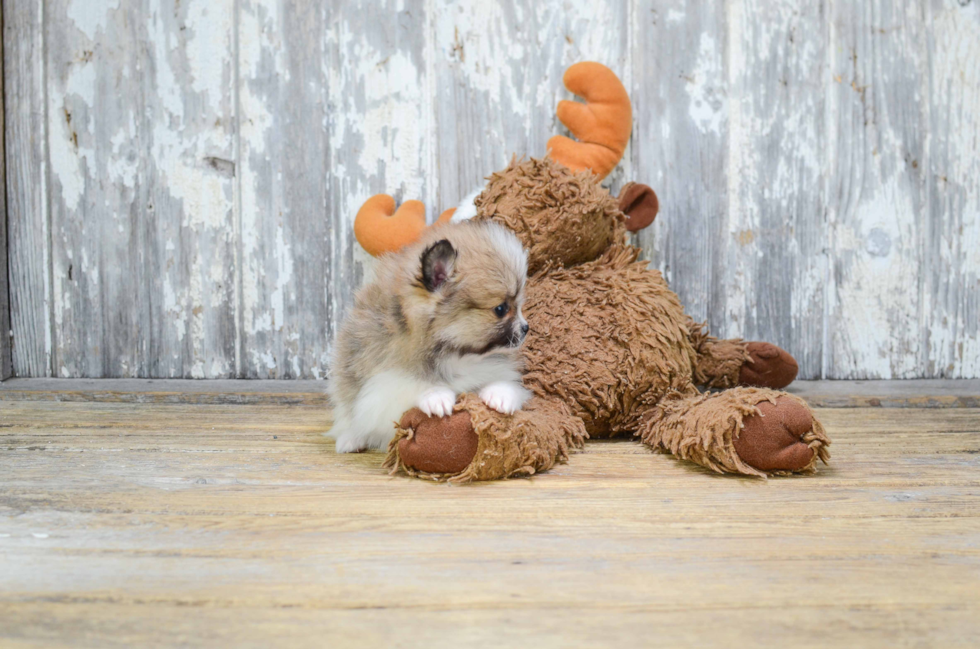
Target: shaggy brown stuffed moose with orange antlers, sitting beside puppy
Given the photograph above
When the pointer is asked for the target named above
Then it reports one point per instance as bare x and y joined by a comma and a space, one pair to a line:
610, 352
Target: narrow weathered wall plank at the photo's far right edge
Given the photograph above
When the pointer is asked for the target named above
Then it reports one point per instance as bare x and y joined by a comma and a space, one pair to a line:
951, 263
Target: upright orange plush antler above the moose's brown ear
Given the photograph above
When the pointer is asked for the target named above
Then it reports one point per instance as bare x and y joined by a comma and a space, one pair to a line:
602, 124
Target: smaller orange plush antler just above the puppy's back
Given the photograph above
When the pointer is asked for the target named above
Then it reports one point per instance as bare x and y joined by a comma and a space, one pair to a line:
380, 228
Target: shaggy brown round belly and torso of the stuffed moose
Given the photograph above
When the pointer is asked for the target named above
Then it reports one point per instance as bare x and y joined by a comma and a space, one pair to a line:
608, 338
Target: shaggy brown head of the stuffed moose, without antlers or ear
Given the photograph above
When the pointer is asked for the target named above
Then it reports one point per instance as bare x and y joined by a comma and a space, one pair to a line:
561, 217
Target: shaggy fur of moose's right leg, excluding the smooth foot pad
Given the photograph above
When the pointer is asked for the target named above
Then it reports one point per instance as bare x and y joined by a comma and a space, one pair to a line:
703, 429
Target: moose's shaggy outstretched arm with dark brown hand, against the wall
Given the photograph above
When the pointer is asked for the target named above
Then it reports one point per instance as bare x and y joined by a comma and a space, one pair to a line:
727, 363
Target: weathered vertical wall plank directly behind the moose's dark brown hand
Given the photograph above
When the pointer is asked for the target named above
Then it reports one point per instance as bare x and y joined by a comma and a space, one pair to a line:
773, 247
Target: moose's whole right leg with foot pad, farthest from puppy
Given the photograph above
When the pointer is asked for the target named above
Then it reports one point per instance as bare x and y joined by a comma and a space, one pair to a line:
750, 431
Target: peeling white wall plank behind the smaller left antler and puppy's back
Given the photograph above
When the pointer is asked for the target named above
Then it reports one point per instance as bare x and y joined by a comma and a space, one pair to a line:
380, 125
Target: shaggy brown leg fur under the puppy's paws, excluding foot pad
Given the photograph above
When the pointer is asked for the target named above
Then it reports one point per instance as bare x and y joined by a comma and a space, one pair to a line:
531, 440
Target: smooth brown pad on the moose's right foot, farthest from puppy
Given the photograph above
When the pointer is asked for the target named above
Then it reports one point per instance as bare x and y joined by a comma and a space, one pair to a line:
779, 438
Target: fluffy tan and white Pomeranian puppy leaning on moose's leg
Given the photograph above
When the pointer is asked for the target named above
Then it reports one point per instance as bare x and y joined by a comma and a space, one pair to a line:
443, 316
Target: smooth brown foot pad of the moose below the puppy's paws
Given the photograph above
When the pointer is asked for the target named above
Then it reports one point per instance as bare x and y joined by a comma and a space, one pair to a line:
439, 444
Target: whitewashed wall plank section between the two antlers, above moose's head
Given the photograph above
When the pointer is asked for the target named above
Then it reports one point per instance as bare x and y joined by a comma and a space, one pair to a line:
498, 75
